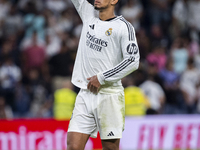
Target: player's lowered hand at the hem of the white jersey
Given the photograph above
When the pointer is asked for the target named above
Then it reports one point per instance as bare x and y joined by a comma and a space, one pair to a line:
93, 84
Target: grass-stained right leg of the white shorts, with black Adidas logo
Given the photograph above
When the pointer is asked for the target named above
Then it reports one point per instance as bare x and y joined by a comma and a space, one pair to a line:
111, 112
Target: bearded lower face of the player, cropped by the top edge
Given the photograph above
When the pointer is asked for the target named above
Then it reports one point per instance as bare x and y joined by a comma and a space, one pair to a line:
102, 4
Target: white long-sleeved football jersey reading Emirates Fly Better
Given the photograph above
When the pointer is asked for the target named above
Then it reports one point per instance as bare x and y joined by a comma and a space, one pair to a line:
107, 49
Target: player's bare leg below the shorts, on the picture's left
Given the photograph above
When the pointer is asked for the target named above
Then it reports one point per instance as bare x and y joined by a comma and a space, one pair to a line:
76, 140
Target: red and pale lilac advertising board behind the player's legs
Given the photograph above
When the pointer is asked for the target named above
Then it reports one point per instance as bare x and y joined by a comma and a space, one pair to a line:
141, 133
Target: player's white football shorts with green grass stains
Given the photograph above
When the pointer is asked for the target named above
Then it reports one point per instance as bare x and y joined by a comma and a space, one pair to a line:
103, 112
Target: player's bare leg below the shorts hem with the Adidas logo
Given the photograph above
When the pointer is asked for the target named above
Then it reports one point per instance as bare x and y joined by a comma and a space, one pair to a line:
111, 144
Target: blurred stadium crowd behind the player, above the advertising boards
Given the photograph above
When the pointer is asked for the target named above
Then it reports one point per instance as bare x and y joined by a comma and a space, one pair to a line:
38, 44
